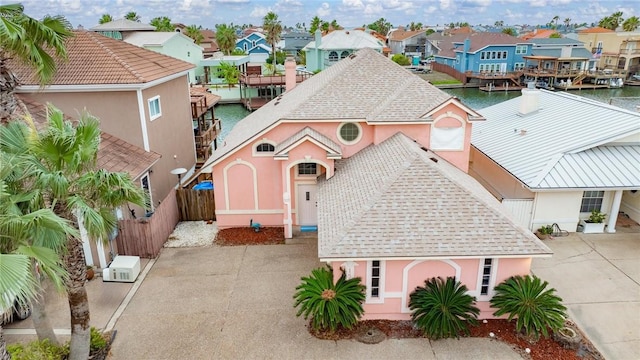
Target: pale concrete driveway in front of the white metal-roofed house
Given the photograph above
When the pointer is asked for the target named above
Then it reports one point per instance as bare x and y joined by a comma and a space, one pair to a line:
598, 276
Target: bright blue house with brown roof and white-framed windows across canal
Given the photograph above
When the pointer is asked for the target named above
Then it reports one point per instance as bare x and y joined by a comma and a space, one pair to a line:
479, 52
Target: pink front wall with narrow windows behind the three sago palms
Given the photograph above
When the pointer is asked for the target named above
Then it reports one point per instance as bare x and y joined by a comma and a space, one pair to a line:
401, 277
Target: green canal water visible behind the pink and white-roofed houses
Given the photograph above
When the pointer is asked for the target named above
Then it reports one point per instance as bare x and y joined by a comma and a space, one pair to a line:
627, 97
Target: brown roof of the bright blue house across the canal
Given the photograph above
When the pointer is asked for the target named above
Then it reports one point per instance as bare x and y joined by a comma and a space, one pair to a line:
479, 41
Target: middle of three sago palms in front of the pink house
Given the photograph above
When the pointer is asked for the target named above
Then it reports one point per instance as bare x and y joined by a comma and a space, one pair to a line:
442, 308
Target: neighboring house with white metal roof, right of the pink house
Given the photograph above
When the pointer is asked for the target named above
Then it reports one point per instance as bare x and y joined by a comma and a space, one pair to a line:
551, 158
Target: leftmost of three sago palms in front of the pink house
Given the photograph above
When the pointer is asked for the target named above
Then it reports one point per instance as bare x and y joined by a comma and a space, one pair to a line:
329, 304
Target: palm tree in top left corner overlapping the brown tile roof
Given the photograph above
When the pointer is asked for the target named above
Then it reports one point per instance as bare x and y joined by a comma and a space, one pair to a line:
25, 39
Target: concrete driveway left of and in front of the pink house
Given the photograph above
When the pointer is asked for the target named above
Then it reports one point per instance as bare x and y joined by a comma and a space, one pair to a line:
237, 303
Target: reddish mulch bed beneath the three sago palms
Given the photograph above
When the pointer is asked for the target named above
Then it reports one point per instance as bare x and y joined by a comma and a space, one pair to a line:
543, 349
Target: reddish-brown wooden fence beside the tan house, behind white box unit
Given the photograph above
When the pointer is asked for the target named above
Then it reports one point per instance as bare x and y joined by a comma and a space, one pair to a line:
145, 237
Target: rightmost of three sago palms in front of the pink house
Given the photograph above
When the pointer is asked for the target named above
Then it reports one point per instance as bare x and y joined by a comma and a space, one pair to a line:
528, 299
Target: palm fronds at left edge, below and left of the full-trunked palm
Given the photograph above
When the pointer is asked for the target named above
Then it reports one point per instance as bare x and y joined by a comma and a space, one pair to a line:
28, 237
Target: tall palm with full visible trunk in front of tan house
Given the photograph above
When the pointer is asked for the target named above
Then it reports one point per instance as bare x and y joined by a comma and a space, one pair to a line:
75, 190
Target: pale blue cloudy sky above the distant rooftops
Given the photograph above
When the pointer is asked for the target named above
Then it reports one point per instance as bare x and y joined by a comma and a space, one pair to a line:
348, 13
